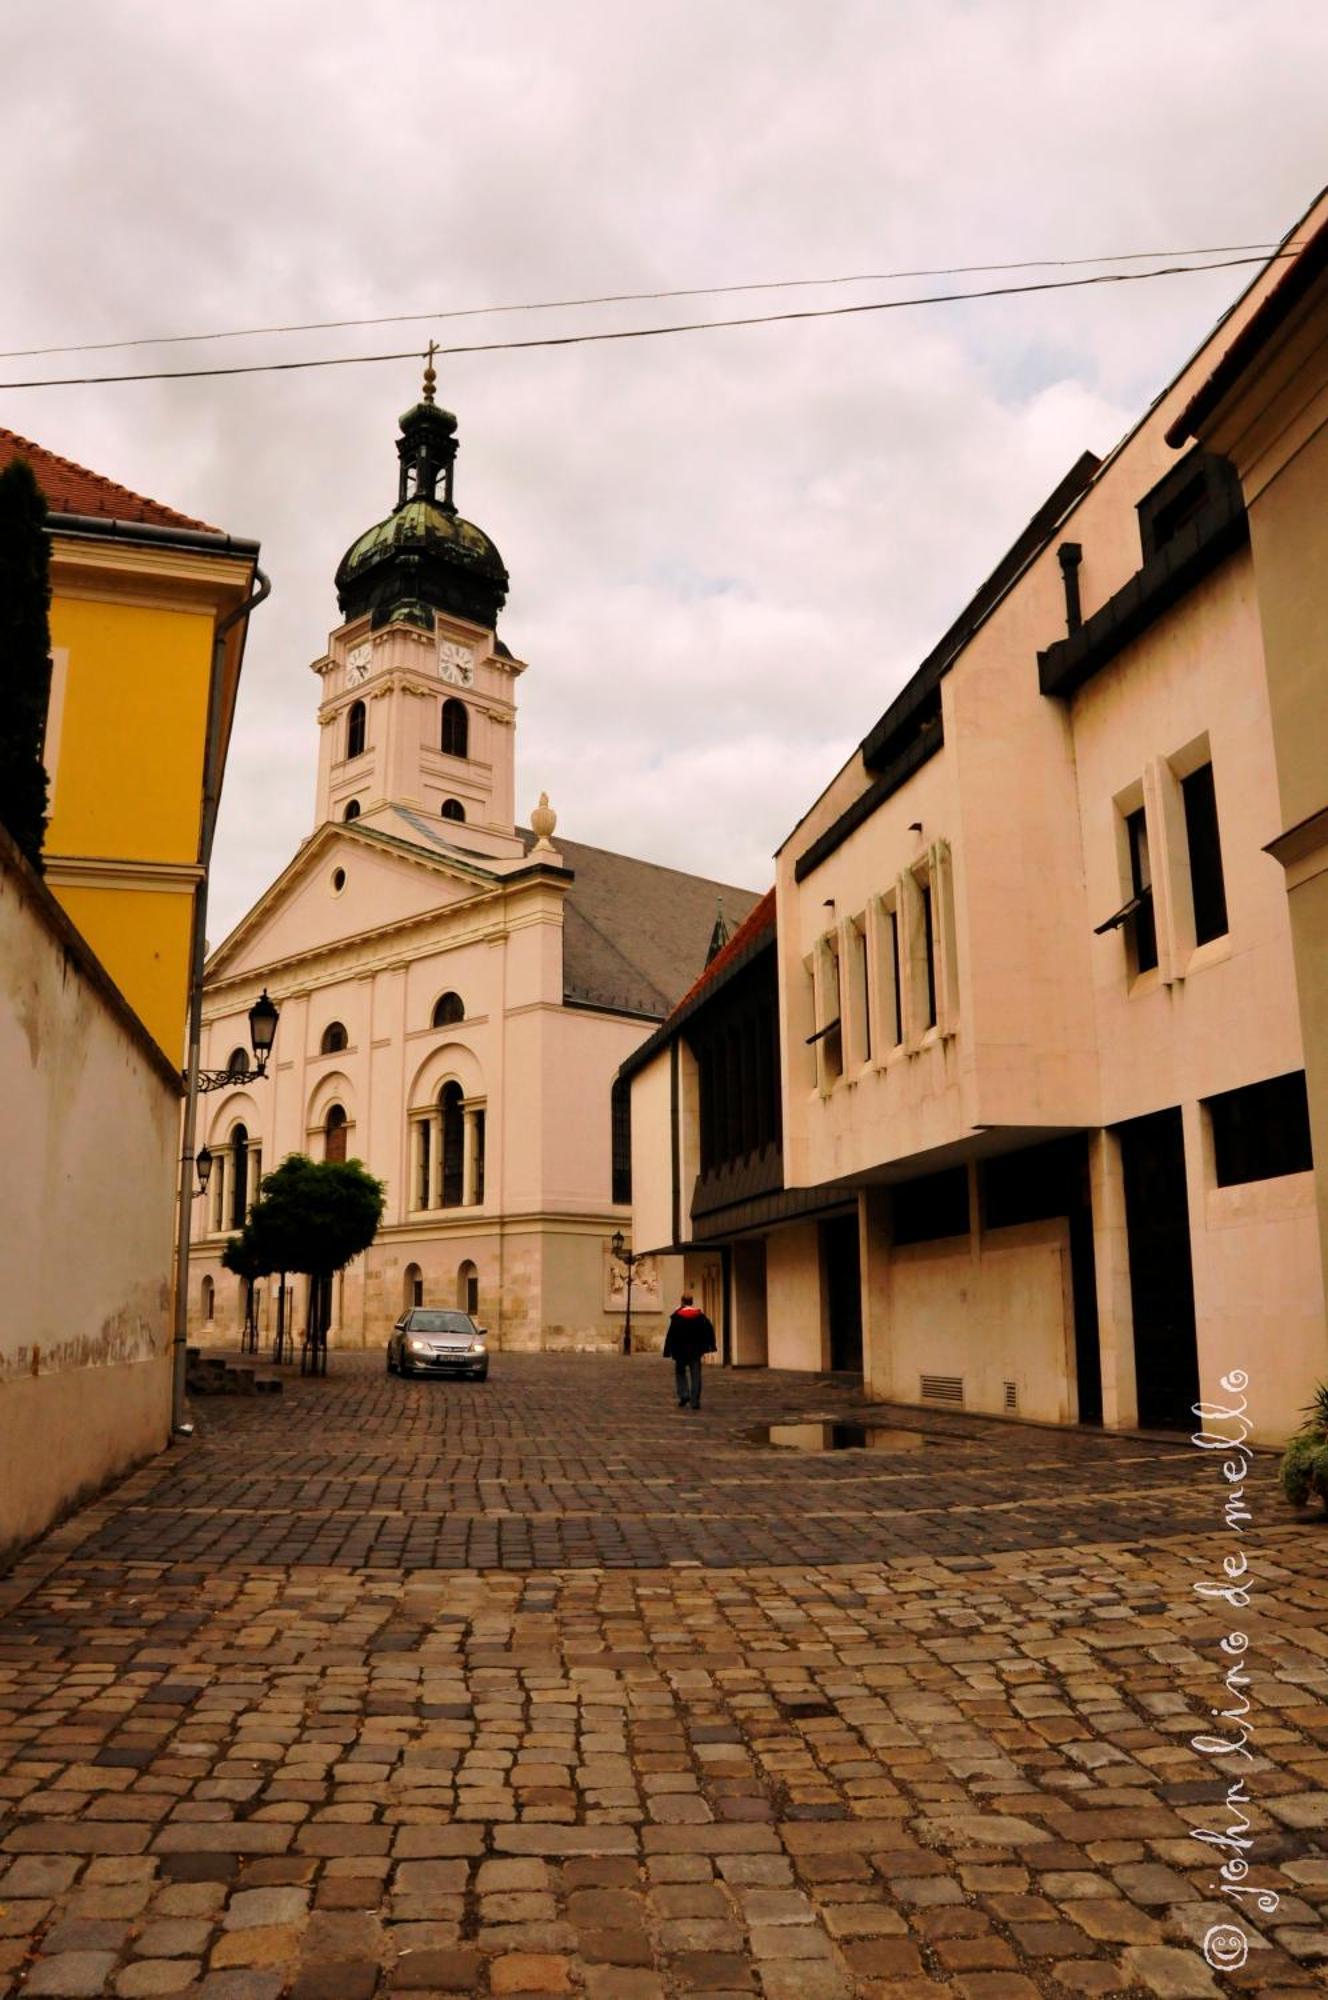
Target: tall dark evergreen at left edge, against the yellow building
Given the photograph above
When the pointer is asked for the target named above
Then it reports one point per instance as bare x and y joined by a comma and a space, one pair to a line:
25, 657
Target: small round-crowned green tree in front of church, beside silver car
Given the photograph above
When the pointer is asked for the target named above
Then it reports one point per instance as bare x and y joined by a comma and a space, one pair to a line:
315, 1217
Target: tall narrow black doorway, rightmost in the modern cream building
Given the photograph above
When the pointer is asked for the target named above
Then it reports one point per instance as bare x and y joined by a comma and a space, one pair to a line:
1161, 1275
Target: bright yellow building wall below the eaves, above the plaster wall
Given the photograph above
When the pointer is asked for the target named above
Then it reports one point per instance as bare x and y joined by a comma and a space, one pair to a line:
127, 747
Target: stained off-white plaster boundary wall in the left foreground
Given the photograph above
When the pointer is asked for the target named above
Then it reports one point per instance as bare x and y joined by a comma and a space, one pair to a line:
89, 1141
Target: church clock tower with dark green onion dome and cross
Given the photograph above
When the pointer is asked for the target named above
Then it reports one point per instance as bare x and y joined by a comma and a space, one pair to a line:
419, 693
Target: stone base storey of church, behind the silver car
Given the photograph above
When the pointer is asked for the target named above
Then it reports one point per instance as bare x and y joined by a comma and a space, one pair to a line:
539, 1285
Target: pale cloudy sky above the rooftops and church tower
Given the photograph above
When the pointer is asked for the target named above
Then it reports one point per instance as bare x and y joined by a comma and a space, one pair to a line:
727, 549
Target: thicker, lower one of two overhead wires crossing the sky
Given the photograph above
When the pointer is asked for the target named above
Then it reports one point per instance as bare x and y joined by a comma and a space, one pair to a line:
649, 333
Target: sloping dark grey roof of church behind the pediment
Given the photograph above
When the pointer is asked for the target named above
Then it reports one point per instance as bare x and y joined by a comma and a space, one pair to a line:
635, 935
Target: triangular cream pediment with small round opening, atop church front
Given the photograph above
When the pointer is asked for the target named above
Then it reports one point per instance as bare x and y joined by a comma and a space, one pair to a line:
347, 883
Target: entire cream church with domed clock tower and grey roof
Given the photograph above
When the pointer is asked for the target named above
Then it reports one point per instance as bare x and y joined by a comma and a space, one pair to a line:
457, 993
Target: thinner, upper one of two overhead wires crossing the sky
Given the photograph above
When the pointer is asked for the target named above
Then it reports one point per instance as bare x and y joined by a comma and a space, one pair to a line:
627, 299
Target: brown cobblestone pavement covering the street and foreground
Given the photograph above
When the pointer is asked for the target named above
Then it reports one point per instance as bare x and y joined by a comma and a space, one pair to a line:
547, 1689
